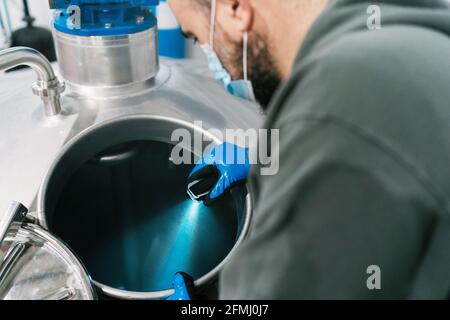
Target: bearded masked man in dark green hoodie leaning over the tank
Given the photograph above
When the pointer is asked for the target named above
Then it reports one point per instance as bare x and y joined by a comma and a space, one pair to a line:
360, 206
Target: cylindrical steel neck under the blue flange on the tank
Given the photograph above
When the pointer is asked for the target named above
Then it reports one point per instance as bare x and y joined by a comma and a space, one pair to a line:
107, 62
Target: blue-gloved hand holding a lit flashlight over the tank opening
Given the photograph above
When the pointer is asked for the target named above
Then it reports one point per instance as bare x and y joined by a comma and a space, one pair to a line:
225, 172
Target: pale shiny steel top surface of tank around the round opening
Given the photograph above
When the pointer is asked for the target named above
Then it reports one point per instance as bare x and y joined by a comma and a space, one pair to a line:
181, 92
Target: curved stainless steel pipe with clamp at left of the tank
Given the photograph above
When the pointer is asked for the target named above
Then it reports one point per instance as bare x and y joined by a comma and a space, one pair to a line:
47, 87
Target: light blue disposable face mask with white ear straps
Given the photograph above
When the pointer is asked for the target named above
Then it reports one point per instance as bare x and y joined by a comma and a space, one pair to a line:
239, 88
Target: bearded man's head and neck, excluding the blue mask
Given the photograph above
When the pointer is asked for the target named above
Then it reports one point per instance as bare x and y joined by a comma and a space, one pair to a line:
276, 29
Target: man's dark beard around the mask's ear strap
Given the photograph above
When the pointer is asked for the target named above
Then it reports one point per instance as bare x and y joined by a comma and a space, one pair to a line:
262, 70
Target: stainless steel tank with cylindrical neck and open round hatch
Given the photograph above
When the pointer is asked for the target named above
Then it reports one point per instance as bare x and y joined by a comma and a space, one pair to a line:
101, 167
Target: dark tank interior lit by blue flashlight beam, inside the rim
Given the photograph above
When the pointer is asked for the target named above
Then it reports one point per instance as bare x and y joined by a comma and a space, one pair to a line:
132, 224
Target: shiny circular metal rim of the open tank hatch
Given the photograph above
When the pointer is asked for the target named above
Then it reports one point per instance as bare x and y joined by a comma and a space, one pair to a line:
134, 295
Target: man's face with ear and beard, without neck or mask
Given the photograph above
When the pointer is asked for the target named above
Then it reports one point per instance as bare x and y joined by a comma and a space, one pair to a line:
233, 18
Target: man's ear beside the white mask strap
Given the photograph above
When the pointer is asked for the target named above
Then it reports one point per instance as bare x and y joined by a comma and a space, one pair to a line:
235, 16
